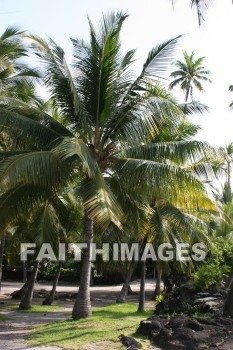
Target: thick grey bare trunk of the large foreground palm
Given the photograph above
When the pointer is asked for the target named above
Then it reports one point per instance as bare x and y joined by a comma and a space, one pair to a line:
82, 306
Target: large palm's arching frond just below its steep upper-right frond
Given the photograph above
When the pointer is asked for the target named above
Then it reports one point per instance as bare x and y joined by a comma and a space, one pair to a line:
140, 120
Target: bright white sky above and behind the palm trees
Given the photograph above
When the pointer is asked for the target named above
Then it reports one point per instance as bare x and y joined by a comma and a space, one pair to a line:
150, 22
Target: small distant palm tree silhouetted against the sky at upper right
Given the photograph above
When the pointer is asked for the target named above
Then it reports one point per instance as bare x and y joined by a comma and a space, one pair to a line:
189, 74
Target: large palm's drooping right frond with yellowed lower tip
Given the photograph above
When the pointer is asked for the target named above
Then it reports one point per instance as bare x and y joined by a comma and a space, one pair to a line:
163, 181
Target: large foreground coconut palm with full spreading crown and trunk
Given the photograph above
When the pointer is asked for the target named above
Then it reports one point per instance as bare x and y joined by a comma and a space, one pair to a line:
110, 117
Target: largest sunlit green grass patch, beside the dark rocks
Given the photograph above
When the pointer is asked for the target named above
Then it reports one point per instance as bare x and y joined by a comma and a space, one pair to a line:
105, 326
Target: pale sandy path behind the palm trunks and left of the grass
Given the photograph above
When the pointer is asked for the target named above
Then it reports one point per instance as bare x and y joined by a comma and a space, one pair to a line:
14, 330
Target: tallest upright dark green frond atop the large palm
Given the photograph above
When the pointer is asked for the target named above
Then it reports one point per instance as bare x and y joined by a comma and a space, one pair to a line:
100, 68
